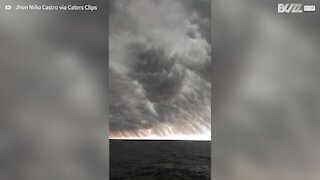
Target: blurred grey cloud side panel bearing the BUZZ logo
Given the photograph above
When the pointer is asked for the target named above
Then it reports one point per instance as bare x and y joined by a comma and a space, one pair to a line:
265, 93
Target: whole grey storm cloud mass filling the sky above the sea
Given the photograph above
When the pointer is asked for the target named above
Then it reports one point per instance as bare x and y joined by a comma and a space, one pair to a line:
160, 65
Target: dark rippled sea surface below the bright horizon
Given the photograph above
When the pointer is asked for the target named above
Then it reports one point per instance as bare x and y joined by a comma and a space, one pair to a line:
159, 160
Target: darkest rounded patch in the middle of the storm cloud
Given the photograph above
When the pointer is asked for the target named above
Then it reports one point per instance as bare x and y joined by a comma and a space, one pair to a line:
160, 77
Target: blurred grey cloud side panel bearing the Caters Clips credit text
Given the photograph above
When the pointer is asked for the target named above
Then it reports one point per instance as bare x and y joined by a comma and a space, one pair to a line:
53, 84
